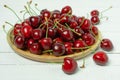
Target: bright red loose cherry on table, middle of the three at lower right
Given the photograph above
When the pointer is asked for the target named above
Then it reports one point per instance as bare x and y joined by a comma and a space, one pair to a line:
100, 58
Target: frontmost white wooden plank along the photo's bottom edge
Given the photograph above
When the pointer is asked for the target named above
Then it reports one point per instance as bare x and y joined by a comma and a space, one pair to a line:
38, 72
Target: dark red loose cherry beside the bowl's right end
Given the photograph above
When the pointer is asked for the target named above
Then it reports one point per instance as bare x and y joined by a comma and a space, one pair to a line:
106, 44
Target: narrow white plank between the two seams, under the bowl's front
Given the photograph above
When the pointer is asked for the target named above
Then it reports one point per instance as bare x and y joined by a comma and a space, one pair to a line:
14, 59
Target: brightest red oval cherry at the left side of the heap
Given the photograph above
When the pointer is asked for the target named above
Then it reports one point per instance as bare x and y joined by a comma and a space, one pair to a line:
26, 31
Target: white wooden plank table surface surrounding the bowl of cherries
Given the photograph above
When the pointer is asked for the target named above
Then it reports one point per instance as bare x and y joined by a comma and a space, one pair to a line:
15, 67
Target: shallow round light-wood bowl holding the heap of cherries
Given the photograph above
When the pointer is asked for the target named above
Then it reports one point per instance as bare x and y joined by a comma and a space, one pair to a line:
48, 57
